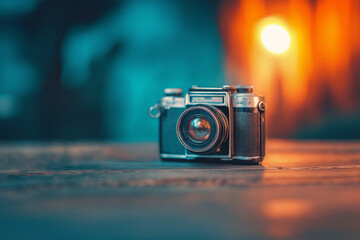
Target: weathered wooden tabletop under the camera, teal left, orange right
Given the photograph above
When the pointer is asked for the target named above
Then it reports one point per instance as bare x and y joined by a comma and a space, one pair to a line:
303, 190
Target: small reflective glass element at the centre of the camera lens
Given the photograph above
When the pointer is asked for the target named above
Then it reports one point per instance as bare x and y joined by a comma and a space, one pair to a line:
199, 129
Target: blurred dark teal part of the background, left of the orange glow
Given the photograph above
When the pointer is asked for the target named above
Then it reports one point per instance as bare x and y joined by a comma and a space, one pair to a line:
91, 69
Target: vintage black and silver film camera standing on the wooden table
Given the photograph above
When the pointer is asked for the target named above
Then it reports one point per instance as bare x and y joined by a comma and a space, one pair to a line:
226, 123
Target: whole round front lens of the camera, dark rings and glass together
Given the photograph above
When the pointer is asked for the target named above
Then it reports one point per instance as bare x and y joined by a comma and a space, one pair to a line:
202, 128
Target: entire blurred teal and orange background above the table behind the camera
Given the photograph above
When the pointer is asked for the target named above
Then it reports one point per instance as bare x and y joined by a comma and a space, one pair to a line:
89, 69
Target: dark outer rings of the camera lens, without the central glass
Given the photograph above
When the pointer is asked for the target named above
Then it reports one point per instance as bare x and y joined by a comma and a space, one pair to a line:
205, 108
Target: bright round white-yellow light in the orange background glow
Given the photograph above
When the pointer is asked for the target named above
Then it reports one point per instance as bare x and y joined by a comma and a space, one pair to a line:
275, 38
